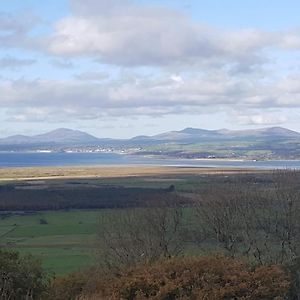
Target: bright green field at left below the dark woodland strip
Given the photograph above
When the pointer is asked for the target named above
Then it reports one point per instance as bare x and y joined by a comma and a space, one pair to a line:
65, 244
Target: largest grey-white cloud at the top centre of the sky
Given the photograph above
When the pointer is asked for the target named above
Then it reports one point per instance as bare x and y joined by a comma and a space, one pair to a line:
133, 35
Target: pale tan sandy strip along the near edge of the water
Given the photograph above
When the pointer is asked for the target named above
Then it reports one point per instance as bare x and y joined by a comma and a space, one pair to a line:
44, 173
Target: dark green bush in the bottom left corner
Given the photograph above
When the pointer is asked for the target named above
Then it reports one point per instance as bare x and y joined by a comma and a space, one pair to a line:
21, 277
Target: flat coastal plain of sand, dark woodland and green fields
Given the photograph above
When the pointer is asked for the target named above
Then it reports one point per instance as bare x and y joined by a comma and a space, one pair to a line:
53, 213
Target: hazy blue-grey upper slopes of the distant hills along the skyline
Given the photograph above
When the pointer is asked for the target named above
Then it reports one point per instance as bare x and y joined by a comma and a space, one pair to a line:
64, 136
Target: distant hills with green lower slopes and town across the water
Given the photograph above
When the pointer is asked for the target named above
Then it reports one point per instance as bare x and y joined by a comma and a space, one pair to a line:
264, 143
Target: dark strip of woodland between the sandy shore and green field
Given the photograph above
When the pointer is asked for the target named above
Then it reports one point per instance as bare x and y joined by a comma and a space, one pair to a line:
24, 198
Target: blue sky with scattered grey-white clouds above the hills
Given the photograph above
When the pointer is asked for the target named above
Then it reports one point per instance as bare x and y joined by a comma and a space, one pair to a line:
121, 68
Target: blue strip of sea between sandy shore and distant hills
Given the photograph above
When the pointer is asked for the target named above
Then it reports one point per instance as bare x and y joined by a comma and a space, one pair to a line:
16, 159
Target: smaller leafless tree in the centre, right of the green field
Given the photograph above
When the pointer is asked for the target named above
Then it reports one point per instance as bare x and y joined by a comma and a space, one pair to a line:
132, 236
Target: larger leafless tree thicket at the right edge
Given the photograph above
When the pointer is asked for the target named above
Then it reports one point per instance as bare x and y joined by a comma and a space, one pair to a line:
260, 221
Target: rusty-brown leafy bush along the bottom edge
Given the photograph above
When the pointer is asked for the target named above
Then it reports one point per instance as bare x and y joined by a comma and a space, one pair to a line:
212, 278
